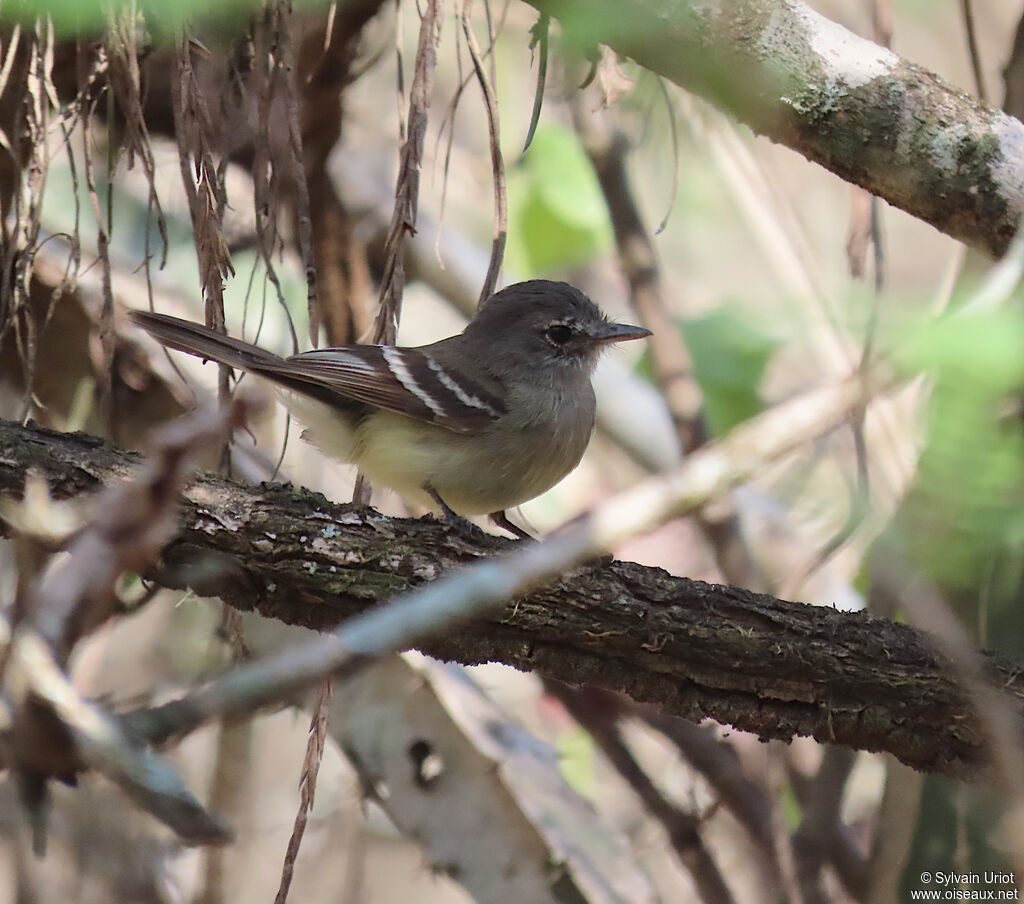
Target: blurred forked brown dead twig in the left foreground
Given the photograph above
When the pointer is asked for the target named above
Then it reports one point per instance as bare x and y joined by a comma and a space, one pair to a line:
51, 731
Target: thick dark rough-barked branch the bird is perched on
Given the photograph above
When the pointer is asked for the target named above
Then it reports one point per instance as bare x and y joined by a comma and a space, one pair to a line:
774, 668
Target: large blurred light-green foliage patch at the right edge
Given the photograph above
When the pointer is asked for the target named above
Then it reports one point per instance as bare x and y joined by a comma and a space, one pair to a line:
963, 523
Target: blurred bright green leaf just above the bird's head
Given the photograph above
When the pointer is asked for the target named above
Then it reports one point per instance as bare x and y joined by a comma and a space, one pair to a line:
558, 214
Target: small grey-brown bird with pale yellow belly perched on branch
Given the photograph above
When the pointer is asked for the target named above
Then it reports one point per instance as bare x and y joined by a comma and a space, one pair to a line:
475, 424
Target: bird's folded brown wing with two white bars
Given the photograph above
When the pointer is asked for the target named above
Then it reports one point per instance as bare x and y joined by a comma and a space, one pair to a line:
409, 381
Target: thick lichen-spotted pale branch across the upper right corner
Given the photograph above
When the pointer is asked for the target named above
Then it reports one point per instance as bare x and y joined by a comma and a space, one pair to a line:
843, 102
